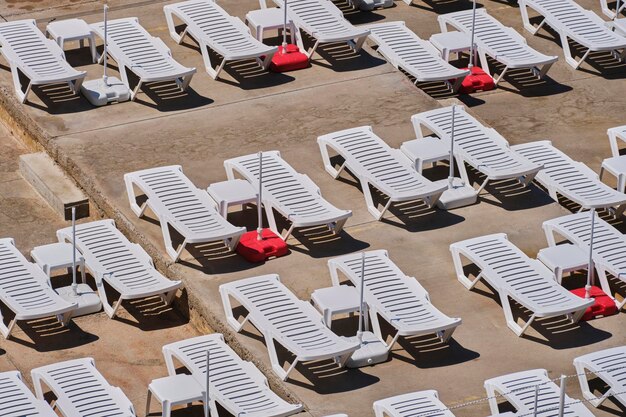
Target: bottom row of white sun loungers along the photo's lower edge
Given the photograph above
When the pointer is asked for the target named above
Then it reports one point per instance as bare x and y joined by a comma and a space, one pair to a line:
240, 388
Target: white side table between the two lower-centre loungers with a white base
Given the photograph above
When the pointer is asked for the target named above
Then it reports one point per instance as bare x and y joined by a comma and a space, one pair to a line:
337, 300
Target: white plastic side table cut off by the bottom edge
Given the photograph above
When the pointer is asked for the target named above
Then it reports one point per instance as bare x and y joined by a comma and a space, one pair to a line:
175, 390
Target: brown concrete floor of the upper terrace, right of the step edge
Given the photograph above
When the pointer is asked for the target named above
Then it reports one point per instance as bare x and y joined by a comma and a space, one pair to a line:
249, 111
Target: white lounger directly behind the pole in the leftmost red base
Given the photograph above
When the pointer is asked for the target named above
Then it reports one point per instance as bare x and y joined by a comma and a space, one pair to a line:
290, 193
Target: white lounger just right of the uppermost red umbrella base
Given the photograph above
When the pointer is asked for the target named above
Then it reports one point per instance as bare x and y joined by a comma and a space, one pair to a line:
324, 22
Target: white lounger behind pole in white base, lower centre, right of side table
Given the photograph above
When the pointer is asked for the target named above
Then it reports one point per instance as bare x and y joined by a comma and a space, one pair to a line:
397, 298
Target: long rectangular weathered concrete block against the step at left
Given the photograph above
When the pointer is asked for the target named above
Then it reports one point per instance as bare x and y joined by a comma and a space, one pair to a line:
50, 181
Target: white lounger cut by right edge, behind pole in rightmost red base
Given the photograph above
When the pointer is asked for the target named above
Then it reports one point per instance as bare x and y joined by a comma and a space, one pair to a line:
609, 245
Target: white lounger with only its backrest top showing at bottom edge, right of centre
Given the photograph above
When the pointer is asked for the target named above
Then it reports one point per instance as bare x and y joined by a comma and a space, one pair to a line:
420, 403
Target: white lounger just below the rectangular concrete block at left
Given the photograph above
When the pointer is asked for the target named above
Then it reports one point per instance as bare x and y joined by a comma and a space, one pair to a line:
125, 266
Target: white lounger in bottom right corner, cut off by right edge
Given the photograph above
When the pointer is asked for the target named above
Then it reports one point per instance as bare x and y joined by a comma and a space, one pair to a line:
610, 366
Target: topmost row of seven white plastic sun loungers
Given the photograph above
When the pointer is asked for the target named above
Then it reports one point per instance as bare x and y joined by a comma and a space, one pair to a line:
135, 50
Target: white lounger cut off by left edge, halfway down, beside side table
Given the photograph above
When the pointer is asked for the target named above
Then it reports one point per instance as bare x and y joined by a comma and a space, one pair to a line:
25, 290
